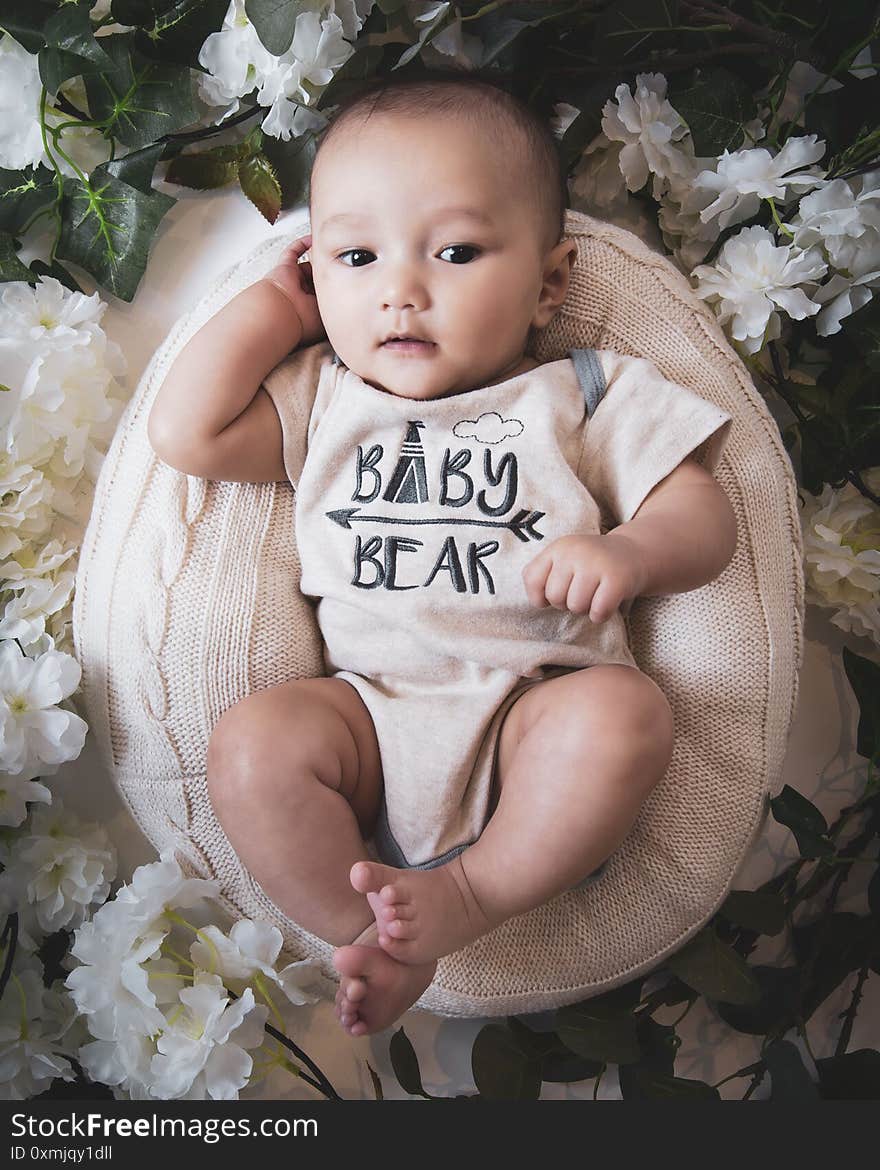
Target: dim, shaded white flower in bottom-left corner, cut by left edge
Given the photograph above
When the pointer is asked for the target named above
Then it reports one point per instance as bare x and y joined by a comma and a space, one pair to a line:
33, 1020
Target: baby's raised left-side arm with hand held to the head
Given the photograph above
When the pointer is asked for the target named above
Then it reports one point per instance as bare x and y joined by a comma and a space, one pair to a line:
211, 417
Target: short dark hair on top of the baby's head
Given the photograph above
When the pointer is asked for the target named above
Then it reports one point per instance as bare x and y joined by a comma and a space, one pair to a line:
486, 104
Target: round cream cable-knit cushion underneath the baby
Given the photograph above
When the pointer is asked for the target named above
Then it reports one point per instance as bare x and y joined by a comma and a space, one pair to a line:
187, 601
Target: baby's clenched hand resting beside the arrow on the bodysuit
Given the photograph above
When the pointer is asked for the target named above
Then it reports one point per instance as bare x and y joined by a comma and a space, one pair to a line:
585, 575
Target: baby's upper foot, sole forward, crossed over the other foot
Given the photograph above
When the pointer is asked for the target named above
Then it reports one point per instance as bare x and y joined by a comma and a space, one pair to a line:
422, 914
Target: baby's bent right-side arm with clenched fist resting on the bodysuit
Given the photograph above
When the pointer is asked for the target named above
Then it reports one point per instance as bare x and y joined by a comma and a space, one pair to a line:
682, 538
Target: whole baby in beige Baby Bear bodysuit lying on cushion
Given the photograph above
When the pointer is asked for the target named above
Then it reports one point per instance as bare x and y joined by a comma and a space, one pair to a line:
471, 524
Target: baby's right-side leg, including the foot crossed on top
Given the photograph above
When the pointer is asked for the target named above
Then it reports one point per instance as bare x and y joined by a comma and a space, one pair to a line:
577, 758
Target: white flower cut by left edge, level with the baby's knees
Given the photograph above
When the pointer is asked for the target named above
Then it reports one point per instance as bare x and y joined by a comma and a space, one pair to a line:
37, 737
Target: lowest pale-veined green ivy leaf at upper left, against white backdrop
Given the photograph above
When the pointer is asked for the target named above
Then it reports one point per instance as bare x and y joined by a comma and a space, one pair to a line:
108, 228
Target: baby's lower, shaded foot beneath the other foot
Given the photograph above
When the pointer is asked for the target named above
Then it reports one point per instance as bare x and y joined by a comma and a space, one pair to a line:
375, 989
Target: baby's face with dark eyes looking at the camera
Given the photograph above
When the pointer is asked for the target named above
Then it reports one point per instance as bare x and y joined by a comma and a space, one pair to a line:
418, 230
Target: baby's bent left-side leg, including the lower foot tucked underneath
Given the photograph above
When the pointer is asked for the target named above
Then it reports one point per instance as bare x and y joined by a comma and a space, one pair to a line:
295, 780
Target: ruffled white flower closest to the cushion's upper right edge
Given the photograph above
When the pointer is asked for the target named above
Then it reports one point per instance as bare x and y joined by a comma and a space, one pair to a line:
752, 279
